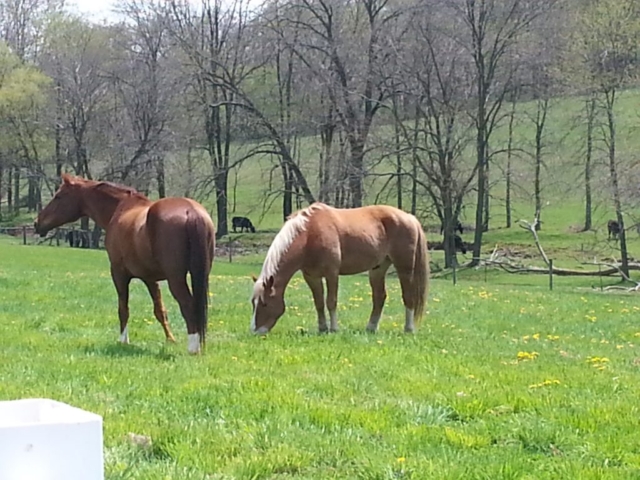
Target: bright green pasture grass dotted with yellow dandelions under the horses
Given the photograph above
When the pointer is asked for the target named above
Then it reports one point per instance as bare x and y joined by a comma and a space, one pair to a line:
466, 397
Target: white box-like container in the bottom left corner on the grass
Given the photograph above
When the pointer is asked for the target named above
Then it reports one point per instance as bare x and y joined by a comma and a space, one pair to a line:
43, 439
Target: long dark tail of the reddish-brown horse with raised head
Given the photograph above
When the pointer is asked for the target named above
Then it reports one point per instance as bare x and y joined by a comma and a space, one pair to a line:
201, 248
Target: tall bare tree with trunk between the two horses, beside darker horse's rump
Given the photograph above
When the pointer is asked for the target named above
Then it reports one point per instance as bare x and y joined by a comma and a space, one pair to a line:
215, 40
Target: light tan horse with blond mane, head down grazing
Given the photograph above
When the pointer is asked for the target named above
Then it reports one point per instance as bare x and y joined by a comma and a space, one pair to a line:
326, 242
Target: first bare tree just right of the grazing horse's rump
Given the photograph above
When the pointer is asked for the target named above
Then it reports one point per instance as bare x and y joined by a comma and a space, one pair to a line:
441, 129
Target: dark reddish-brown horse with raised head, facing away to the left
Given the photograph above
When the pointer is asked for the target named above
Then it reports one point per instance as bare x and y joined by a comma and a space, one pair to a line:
149, 240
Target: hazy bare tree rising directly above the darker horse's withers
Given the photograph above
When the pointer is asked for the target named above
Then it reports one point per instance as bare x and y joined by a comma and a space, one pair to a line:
145, 80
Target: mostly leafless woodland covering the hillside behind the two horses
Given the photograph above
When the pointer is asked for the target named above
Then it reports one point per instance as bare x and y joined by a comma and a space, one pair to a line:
197, 80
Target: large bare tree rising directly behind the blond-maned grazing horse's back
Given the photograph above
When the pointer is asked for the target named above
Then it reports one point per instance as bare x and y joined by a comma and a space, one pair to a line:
346, 46
